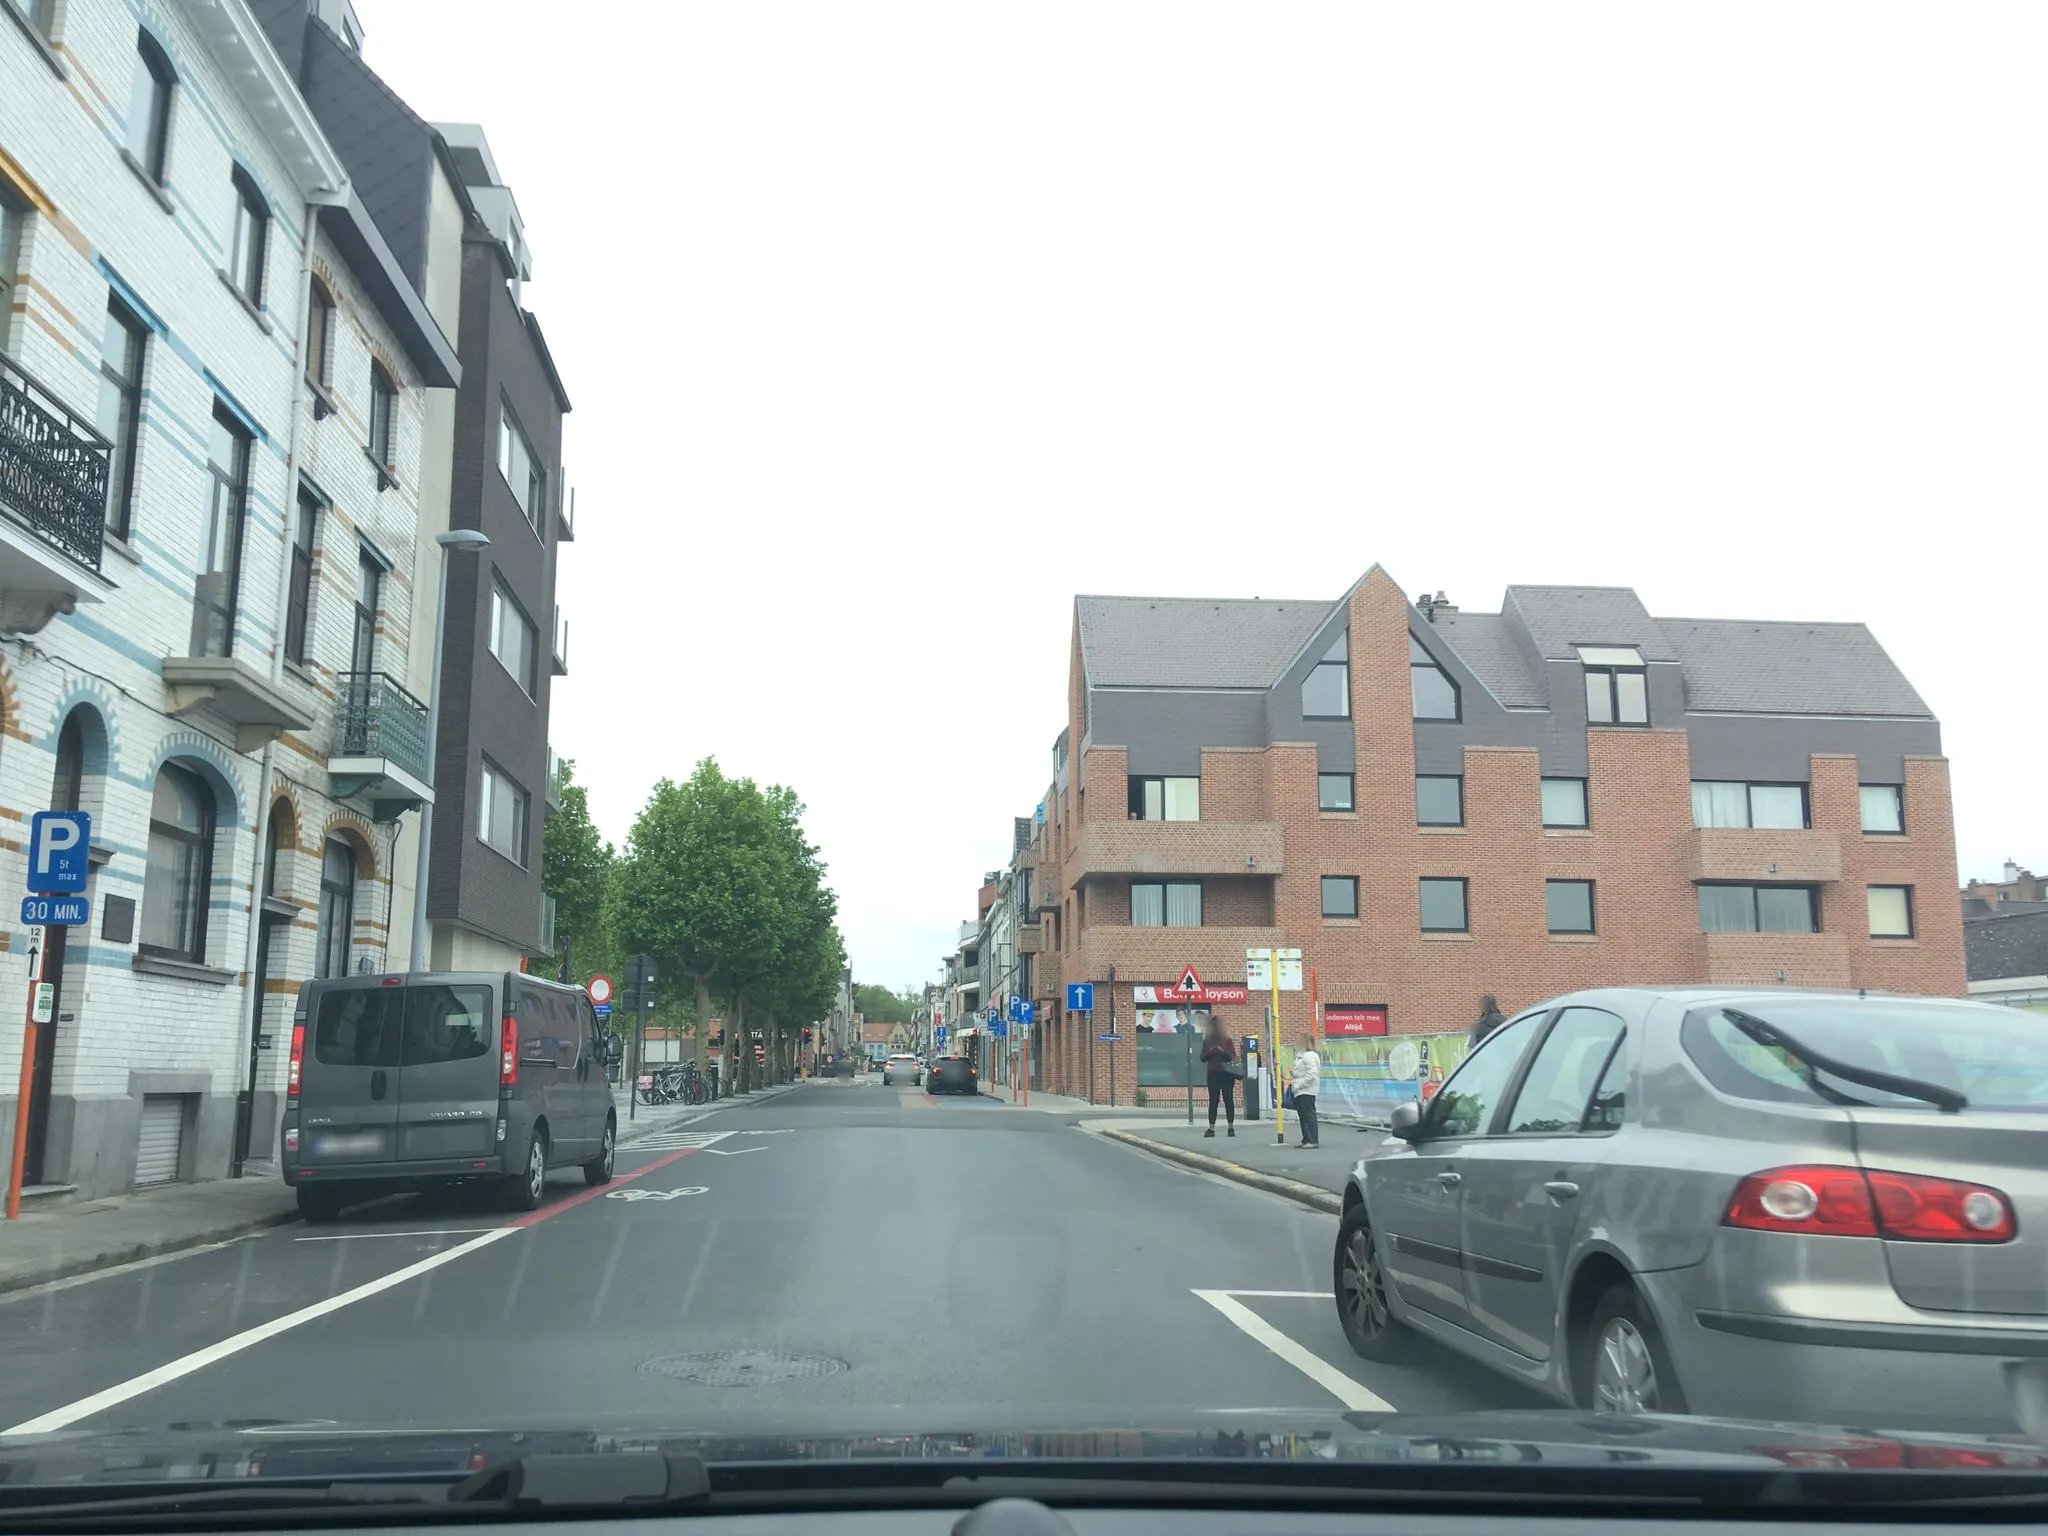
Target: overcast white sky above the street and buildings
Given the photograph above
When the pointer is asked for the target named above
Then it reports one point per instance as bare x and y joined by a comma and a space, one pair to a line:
894, 327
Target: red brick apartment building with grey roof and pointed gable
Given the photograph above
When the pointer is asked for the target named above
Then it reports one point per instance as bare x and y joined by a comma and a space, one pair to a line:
1435, 806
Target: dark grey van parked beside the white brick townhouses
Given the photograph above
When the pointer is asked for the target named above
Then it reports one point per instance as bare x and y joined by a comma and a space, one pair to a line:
443, 1076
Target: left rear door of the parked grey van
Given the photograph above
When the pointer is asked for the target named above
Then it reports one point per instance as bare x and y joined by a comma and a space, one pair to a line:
349, 1074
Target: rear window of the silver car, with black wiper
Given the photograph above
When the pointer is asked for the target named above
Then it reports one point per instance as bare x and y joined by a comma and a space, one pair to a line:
1994, 1058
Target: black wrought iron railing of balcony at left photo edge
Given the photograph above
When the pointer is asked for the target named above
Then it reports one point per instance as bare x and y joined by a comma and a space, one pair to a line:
52, 466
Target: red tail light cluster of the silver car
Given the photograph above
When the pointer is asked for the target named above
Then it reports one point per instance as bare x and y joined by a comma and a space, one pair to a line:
1877, 1203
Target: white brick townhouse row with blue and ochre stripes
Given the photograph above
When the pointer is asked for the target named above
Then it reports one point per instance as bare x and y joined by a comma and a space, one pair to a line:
212, 433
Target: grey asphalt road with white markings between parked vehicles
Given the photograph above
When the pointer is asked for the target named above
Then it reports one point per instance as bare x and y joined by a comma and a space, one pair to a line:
841, 1258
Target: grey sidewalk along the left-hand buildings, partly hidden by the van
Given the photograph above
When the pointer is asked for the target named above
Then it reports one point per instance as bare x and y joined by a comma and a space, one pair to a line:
56, 1242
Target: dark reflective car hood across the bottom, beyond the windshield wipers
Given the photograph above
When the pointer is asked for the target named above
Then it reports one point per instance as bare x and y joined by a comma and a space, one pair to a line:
1523, 1439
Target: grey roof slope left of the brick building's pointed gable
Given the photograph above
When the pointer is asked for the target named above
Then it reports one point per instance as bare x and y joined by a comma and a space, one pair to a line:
1193, 642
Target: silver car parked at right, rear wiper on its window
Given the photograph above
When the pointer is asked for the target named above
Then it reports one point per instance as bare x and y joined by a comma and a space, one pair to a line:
1750, 1203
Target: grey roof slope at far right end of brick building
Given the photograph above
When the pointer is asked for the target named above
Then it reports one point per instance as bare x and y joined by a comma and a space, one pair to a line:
1793, 669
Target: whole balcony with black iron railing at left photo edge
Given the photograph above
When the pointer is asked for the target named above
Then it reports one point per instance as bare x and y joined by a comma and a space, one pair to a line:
54, 503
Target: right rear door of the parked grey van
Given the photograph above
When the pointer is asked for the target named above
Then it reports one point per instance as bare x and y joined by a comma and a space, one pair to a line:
450, 1072
